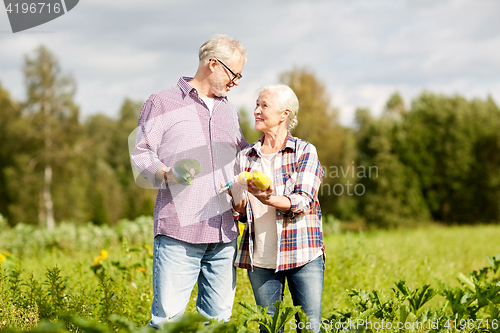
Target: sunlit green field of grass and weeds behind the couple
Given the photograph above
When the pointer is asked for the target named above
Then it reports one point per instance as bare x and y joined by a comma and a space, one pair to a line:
366, 261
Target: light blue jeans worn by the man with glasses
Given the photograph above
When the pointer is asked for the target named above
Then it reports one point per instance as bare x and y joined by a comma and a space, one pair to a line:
178, 265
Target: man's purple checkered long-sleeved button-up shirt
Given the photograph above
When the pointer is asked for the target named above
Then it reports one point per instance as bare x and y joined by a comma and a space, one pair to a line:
175, 124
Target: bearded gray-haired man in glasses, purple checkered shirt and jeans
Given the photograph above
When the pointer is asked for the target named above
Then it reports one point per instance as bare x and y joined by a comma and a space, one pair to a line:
195, 232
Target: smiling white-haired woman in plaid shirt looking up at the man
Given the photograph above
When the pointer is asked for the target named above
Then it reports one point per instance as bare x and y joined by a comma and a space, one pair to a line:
283, 237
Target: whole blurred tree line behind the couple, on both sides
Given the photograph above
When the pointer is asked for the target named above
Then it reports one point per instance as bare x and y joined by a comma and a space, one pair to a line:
438, 160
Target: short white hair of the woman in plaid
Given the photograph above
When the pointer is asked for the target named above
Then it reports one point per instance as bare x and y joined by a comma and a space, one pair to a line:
285, 99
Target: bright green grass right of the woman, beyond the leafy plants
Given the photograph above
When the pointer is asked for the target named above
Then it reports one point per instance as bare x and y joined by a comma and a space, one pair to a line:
376, 260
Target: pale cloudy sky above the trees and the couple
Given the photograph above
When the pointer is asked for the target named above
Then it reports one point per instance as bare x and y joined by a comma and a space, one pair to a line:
361, 50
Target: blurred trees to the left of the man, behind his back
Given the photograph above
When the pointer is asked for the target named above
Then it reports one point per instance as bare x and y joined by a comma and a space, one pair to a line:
55, 167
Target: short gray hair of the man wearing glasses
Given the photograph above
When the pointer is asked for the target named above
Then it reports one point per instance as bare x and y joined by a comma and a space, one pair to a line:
221, 47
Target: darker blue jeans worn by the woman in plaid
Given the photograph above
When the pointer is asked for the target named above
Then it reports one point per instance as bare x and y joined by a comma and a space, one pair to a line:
305, 284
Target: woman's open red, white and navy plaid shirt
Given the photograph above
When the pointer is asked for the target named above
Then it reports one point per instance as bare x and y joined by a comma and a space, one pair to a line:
298, 176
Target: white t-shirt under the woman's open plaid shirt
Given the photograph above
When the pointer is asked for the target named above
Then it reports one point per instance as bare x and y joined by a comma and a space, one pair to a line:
265, 249
